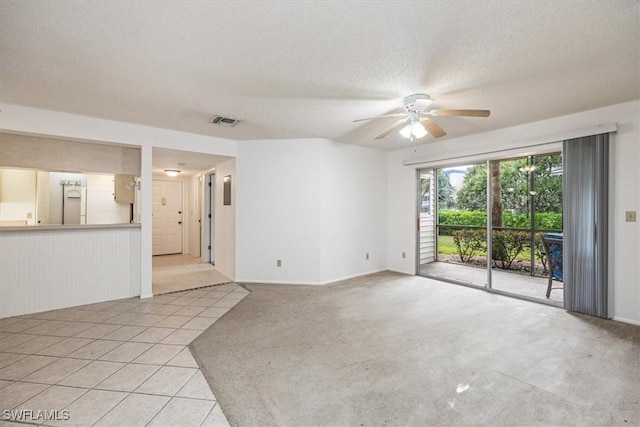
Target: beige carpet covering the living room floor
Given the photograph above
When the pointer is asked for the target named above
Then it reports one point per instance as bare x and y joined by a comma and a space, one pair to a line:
389, 349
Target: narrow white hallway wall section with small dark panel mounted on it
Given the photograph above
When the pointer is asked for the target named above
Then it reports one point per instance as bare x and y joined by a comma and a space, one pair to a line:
225, 221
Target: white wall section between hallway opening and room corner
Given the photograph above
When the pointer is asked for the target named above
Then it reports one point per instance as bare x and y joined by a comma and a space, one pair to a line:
278, 197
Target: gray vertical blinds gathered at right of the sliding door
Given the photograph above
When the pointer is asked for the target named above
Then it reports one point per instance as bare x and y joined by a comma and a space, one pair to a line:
586, 201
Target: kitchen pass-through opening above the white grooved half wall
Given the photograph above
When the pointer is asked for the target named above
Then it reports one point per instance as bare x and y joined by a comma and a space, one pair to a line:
35, 197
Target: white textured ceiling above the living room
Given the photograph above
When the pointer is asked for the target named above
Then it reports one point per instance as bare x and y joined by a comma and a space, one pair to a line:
296, 69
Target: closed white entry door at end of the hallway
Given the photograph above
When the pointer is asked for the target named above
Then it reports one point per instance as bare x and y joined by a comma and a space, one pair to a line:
167, 217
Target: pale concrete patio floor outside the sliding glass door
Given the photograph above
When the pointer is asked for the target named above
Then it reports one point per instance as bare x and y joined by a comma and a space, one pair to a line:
507, 281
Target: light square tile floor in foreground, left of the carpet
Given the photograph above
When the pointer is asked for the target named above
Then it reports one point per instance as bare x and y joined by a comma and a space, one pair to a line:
123, 362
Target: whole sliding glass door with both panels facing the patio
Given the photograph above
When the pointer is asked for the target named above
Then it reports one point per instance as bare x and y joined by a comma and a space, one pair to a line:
485, 221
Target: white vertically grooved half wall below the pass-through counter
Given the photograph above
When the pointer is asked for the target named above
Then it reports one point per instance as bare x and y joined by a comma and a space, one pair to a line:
50, 269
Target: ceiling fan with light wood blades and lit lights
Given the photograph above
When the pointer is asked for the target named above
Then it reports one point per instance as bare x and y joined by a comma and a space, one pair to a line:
415, 121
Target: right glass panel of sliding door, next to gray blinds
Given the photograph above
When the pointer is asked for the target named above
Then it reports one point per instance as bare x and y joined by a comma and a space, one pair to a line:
526, 202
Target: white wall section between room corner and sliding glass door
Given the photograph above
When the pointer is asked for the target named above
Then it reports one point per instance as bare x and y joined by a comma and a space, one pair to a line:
353, 211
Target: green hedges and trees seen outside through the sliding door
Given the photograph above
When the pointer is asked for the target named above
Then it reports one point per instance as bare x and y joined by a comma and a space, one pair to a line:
528, 203
